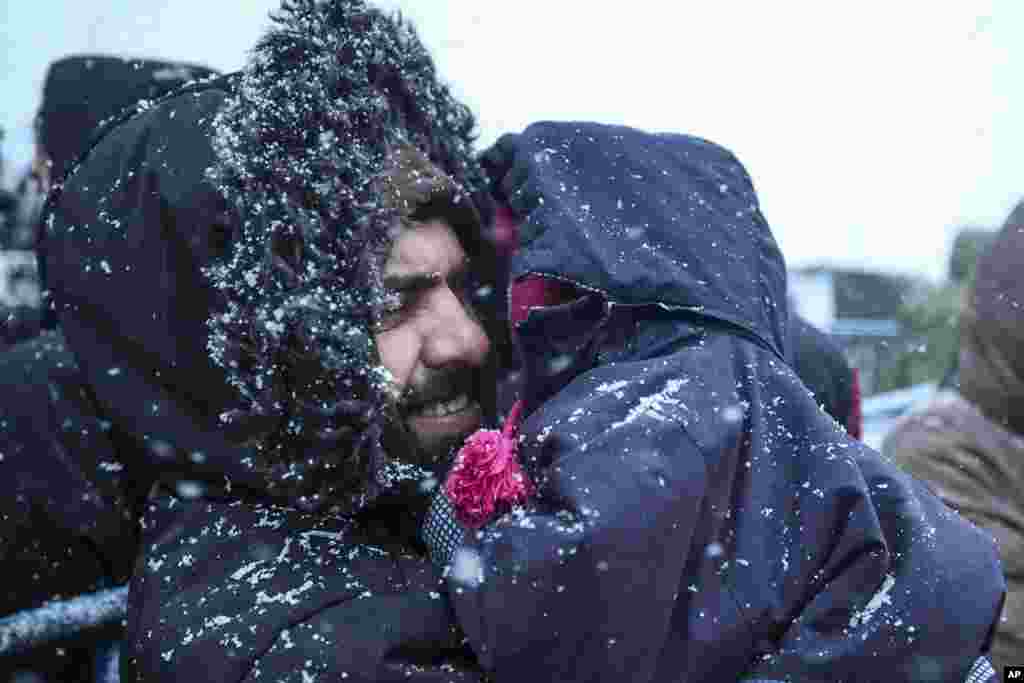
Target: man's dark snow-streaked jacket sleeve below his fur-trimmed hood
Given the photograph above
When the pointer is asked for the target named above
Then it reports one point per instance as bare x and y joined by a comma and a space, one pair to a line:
240, 593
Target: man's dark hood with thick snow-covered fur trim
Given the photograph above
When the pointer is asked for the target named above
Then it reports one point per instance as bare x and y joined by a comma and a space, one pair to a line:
254, 212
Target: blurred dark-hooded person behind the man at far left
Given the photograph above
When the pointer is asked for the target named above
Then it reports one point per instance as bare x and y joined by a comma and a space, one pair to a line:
80, 93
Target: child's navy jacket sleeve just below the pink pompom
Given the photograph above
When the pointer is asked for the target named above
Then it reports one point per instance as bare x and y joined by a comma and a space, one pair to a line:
582, 584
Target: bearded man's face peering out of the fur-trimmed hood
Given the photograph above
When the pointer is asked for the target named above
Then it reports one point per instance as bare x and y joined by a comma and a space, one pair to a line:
430, 339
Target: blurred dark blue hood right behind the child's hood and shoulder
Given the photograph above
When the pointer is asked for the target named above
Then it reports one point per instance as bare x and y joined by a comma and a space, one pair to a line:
823, 367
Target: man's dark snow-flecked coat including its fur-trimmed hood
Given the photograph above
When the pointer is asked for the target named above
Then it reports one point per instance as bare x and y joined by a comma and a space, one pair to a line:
220, 267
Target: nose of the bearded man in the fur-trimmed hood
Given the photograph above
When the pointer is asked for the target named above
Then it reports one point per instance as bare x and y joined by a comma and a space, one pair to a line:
455, 336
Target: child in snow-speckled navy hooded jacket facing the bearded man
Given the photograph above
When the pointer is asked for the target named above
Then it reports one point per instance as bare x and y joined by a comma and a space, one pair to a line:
695, 516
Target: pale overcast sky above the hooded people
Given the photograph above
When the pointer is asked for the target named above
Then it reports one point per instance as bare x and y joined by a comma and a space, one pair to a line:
872, 130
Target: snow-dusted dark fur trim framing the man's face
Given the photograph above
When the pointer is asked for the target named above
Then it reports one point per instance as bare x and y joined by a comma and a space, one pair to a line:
330, 95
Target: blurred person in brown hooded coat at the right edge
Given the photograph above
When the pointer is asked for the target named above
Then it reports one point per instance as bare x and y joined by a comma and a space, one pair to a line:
970, 447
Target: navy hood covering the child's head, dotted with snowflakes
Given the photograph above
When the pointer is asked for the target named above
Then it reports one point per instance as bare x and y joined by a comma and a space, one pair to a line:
645, 219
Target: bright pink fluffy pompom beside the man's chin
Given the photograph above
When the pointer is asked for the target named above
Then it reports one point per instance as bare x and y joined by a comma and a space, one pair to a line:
487, 479
